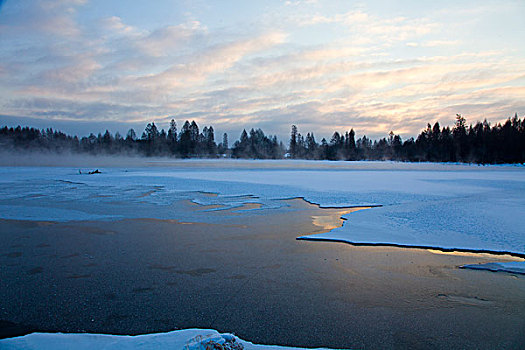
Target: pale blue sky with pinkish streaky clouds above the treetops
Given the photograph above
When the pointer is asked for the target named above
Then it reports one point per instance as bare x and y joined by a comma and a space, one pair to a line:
377, 66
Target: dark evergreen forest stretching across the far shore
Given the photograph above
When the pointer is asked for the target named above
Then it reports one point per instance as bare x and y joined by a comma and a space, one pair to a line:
481, 143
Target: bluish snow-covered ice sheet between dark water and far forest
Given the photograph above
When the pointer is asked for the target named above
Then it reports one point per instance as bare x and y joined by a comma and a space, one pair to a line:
446, 206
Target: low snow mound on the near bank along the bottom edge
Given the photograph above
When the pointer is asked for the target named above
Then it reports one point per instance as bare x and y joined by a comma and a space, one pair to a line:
187, 339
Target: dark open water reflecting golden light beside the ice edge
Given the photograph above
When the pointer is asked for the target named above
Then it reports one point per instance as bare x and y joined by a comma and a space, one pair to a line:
250, 276
